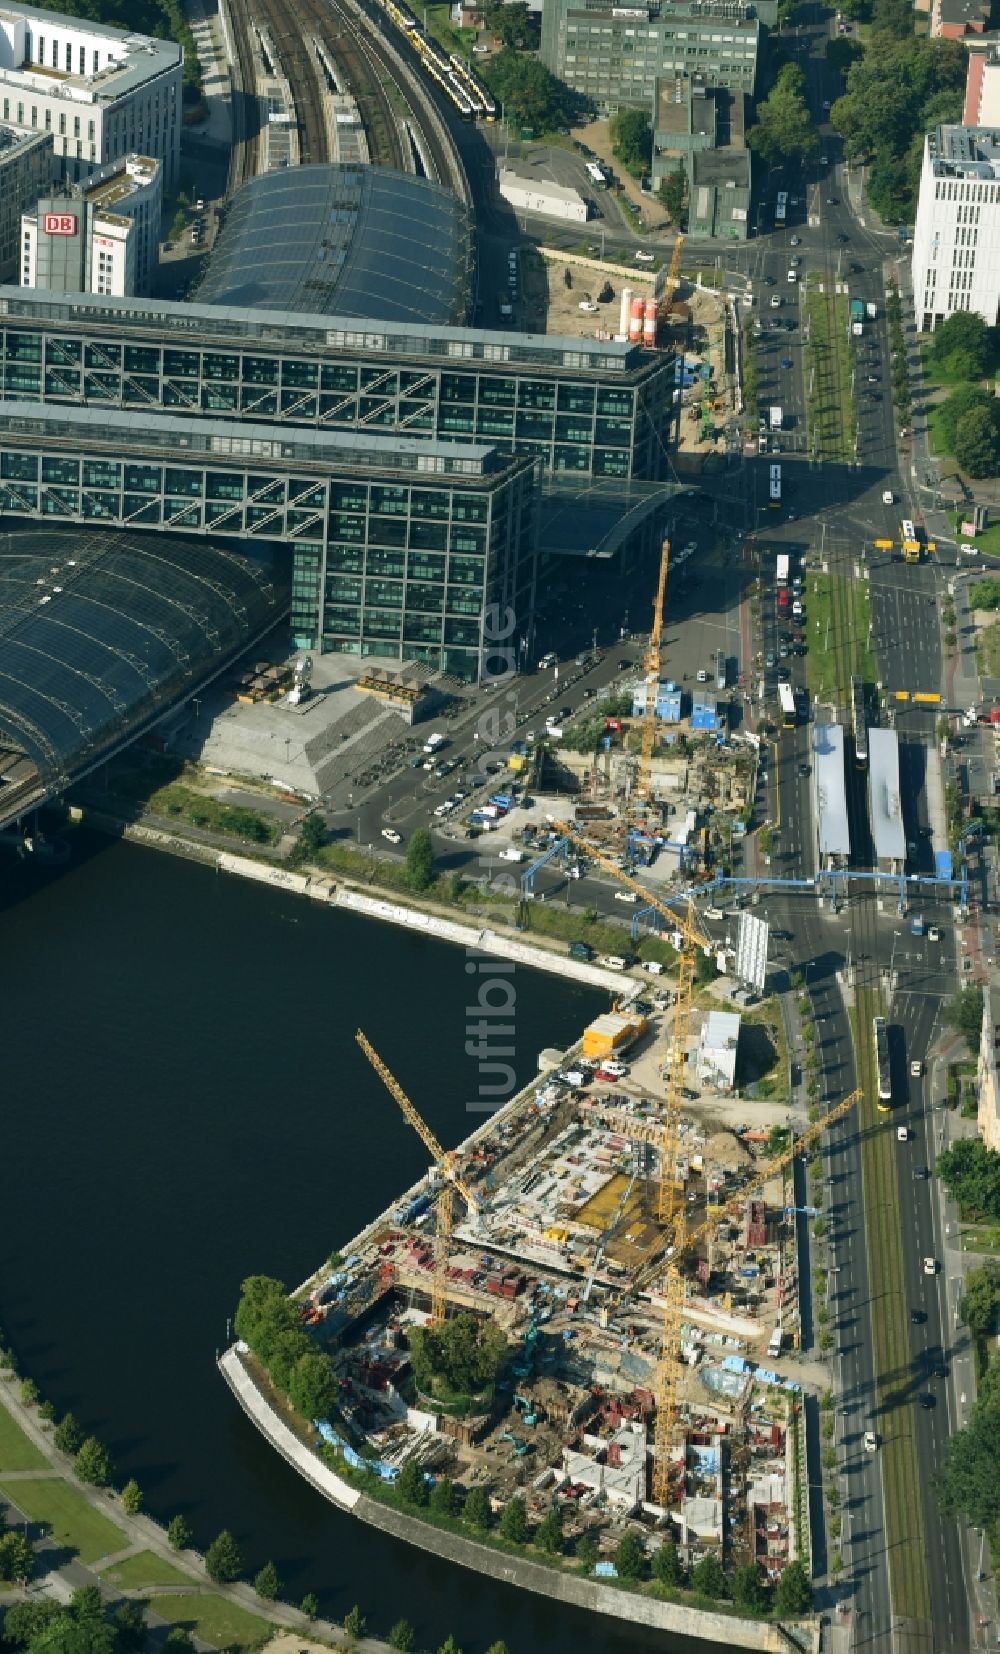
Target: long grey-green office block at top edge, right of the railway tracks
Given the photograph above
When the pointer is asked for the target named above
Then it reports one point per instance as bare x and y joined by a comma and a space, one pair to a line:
617, 54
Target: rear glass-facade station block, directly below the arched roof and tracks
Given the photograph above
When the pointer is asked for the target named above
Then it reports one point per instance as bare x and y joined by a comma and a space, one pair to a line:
583, 406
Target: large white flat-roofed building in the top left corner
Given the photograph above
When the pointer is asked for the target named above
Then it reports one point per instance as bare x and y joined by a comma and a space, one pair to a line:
103, 93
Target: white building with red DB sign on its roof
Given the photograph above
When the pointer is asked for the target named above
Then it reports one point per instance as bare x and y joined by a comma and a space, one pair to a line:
98, 237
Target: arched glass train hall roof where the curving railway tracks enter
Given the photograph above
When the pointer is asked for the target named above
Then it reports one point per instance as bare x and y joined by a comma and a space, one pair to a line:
343, 241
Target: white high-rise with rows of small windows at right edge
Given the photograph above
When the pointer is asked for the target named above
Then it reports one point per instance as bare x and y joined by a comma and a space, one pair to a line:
956, 246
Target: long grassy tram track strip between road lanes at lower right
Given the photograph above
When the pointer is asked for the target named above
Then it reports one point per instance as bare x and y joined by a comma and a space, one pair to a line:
907, 1541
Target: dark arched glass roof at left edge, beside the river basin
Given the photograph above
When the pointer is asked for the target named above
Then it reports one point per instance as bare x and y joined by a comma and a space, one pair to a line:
102, 631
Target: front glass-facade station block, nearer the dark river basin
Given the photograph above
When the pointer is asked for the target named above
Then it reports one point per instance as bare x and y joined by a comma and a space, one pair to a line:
402, 548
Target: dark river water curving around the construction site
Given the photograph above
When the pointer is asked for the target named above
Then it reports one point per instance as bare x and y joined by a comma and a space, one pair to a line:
186, 1106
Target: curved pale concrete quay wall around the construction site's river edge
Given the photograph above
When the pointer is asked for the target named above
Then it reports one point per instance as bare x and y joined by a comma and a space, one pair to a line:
513, 1570
